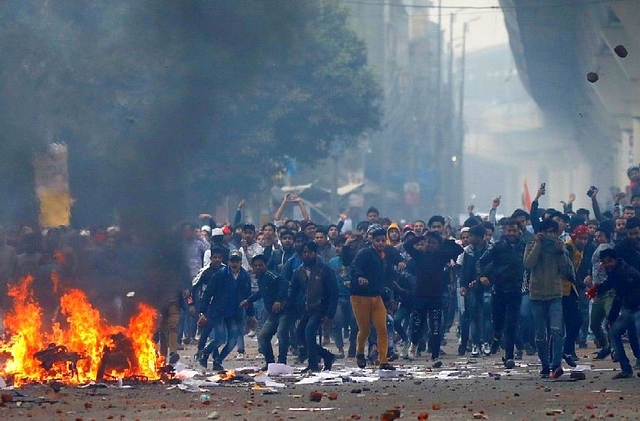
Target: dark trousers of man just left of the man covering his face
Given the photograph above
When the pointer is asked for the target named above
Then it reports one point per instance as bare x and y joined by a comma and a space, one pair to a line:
505, 308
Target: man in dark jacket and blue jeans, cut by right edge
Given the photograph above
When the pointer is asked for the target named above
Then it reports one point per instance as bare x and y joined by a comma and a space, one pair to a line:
625, 280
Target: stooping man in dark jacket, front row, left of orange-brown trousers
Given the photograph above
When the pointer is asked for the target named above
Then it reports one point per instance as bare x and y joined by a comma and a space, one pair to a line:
314, 292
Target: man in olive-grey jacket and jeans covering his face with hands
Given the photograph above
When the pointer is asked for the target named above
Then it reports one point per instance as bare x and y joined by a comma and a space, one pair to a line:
549, 263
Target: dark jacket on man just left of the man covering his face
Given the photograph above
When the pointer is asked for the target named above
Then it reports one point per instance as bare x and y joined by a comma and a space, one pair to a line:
502, 263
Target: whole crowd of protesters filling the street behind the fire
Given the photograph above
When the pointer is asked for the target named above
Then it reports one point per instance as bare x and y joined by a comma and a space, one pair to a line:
540, 282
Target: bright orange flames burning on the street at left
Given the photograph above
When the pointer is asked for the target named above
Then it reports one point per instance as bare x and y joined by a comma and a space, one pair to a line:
85, 336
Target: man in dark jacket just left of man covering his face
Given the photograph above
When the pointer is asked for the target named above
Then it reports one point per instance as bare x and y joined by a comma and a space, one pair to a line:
502, 267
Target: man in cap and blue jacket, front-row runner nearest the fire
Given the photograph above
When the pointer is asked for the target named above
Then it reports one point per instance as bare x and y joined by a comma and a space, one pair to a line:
220, 307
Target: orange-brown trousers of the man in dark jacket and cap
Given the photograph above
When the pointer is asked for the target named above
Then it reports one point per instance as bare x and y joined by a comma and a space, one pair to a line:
368, 310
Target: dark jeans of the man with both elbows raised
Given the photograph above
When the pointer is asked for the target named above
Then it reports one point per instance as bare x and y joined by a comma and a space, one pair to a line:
428, 310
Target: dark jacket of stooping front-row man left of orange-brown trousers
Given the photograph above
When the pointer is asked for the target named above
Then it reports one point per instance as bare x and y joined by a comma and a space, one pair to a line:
314, 289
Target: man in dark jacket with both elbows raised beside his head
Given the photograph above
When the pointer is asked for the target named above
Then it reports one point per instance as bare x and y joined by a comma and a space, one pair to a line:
430, 255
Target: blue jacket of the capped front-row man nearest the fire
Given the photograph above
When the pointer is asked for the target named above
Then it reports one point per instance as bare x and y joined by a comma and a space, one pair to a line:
223, 295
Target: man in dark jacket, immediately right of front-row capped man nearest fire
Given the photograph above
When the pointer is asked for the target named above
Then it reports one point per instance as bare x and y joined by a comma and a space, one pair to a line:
272, 289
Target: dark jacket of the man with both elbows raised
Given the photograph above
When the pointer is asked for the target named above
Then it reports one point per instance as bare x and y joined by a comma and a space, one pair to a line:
430, 280
